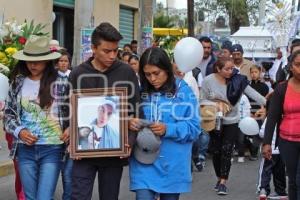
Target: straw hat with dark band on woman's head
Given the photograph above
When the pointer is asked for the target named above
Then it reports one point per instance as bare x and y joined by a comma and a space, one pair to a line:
36, 49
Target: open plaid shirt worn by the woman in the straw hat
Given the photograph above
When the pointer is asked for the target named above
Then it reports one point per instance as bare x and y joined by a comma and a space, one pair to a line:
13, 109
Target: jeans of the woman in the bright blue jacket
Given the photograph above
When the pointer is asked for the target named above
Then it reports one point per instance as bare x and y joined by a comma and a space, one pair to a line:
151, 195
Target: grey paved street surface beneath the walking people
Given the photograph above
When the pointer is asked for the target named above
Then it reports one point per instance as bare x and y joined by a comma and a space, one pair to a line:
241, 184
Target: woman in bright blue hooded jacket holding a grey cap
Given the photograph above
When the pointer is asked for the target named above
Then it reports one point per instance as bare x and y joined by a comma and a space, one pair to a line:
172, 112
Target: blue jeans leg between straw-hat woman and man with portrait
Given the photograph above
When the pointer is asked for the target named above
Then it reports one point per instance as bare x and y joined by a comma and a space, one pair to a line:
67, 177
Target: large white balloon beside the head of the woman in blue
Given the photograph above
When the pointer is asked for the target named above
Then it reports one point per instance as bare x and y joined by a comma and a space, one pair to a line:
188, 54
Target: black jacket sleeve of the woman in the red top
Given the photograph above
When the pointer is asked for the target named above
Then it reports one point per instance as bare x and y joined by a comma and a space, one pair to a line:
275, 112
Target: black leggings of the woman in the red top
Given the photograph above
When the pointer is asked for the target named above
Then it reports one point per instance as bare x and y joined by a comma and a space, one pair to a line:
290, 152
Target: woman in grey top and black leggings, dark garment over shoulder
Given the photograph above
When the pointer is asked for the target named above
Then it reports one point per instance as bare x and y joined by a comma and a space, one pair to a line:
216, 88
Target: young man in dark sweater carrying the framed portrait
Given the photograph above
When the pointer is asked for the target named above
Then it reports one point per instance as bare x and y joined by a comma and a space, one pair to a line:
101, 71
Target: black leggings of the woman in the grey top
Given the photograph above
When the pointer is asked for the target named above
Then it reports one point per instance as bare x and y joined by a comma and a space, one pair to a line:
222, 147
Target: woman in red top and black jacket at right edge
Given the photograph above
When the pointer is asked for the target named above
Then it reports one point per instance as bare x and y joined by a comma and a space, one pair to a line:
284, 115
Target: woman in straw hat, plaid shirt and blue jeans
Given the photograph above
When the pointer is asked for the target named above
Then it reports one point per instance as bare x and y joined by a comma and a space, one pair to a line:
33, 116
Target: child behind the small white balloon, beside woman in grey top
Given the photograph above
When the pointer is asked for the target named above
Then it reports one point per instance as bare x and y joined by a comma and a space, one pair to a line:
254, 141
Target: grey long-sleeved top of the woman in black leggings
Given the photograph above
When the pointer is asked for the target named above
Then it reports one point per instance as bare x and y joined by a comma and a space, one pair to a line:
212, 89
